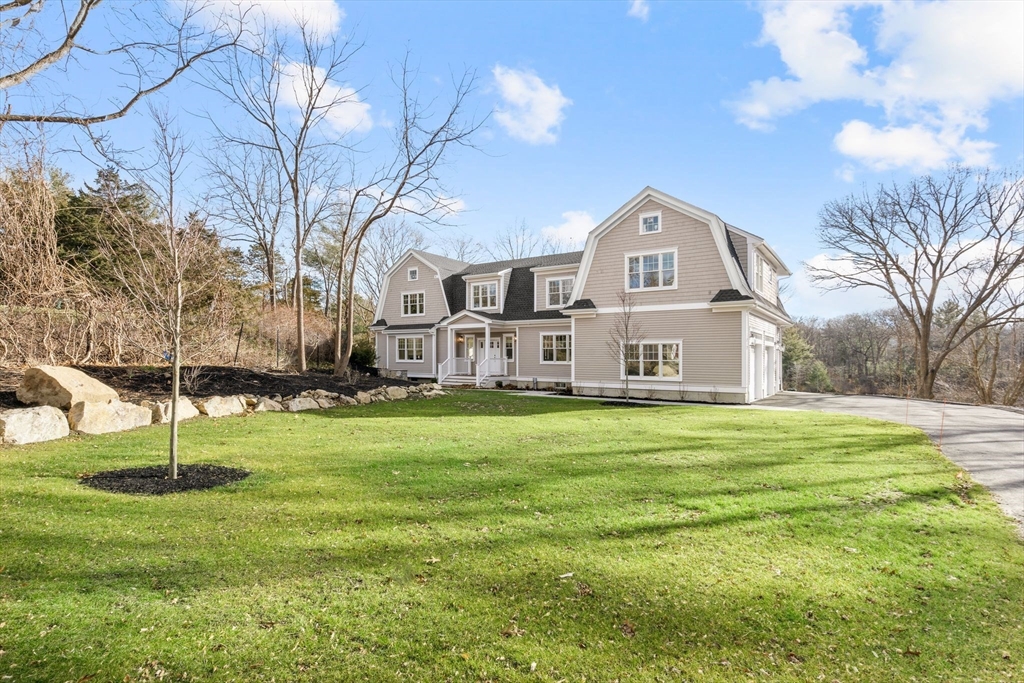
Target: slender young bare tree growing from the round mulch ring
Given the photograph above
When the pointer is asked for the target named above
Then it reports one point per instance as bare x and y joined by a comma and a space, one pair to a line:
169, 263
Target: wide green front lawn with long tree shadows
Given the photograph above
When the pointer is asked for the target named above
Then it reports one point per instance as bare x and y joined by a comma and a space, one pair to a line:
490, 537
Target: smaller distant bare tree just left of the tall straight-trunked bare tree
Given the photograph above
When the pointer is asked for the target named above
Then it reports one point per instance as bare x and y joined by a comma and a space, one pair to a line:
249, 198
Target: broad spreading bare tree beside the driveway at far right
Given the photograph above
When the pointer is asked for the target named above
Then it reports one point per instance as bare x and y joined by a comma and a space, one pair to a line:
959, 238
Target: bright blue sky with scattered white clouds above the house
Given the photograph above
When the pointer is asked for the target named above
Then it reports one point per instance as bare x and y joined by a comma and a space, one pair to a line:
760, 113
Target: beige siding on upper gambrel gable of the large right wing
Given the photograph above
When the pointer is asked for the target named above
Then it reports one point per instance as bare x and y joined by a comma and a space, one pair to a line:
700, 271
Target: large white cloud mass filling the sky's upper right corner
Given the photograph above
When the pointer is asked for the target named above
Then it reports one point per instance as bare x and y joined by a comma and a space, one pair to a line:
948, 64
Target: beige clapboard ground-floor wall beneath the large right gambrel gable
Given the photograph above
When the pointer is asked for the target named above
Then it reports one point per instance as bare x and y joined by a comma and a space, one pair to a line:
712, 353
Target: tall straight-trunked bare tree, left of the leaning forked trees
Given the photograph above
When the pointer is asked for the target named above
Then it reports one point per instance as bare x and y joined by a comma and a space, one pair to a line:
294, 105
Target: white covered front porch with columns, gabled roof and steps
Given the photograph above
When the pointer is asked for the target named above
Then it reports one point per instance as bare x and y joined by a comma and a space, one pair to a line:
479, 353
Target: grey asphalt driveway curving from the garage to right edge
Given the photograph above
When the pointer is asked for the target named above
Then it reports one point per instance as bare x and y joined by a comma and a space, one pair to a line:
989, 443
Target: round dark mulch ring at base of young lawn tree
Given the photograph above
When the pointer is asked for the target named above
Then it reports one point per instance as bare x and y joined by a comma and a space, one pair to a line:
154, 482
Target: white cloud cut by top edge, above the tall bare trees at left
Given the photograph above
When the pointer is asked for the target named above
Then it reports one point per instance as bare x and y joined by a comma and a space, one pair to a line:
322, 17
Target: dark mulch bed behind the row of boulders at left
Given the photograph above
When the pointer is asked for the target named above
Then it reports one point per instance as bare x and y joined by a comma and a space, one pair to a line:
136, 383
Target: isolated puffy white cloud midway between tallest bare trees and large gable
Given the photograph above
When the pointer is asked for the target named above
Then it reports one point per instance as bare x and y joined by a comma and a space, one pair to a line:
533, 111
